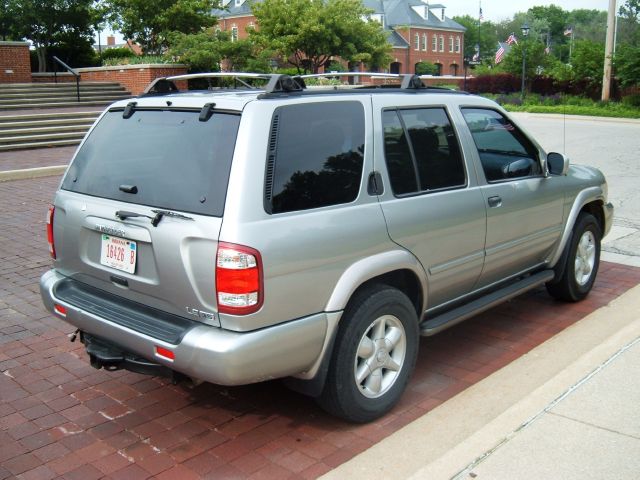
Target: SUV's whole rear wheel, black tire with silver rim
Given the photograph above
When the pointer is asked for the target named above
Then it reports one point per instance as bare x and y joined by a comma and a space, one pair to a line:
373, 357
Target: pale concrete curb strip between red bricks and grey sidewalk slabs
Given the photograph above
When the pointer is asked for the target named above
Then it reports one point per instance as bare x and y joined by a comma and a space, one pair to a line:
450, 438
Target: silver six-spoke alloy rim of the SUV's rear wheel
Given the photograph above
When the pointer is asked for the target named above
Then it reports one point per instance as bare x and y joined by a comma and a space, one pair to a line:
380, 356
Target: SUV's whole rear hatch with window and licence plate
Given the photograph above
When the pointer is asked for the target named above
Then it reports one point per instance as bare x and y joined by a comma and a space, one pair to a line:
140, 208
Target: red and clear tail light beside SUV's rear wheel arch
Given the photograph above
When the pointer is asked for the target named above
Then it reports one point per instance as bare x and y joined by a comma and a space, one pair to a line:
239, 288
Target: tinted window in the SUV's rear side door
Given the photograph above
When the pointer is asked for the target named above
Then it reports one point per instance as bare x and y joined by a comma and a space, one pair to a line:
421, 151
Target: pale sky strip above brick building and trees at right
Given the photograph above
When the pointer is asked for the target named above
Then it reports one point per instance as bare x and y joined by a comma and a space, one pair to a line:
496, 10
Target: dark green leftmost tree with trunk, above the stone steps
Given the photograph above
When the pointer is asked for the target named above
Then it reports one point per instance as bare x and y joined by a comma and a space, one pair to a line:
49, 23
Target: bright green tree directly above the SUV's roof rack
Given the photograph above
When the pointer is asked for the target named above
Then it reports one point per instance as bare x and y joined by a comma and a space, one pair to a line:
308, 33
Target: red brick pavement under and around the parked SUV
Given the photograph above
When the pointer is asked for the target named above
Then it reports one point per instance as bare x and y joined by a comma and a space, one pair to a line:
60, 417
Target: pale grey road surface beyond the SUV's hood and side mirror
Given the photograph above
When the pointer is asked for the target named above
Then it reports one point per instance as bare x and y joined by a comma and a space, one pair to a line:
612, 145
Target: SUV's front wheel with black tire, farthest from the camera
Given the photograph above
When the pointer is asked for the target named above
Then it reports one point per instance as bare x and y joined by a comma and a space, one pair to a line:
580, 269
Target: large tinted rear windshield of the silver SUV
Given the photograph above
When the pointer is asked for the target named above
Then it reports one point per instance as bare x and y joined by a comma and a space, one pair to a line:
173, 160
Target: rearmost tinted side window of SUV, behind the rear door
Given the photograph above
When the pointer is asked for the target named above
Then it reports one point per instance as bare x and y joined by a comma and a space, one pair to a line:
316, 153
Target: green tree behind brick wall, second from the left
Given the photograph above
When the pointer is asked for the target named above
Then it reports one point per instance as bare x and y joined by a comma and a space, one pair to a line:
149, 22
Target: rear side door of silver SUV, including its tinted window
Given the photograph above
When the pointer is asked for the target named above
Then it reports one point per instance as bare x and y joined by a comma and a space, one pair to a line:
433, 206
